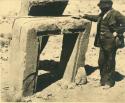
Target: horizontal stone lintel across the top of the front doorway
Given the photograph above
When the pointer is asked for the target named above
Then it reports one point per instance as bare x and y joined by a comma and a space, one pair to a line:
51, 24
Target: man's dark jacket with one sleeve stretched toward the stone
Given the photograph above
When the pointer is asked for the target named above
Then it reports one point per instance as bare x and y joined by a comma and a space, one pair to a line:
107, 24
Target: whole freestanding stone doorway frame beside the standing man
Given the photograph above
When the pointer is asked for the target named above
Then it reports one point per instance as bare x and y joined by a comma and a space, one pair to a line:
24, 49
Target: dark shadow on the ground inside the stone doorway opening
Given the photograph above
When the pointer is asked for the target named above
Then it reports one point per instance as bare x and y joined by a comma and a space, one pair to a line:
46, 79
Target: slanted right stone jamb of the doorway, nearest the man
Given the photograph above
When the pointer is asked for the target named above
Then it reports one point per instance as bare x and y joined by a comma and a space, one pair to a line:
77, 58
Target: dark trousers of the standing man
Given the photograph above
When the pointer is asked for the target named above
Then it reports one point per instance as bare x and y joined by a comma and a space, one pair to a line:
107, 61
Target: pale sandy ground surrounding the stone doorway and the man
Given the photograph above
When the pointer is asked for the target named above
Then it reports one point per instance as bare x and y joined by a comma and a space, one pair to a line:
89, 92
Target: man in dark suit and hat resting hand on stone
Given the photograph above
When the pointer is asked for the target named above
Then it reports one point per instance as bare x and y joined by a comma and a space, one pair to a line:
109, 22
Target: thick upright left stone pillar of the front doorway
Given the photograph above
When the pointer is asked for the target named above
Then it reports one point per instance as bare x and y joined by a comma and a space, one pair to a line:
23, 63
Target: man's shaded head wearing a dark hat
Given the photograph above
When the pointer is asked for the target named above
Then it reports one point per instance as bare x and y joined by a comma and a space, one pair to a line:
105, 5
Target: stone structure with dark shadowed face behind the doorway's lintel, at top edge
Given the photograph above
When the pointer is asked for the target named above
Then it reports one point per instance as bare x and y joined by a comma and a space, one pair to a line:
43, 7
